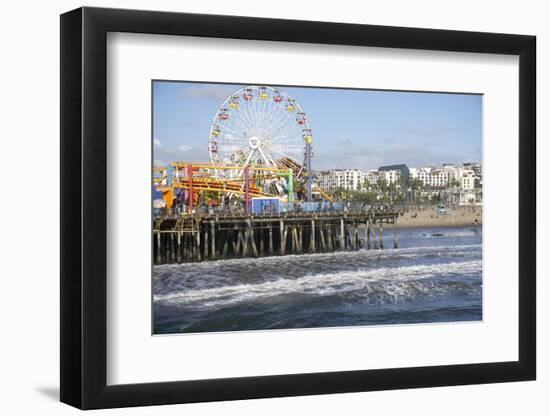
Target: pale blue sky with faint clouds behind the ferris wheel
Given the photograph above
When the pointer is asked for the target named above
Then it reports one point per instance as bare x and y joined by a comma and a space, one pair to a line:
361, 129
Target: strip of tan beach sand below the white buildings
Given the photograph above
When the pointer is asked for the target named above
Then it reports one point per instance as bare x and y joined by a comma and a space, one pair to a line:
430, 218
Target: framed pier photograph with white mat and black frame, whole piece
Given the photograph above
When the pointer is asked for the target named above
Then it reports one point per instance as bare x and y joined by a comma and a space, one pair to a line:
256, 207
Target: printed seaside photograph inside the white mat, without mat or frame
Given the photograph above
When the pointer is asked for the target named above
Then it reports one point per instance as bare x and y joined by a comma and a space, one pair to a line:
295, 207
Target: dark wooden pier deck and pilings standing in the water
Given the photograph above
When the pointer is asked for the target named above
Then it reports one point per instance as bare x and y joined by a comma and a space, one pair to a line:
209, 237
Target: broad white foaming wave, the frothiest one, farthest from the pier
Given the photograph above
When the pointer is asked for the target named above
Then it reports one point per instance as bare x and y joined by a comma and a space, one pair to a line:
378, 285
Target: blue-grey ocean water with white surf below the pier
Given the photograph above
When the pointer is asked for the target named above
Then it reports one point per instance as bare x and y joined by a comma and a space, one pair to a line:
434, 276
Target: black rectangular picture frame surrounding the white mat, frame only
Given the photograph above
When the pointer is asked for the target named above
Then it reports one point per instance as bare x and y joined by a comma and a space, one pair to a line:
84, 207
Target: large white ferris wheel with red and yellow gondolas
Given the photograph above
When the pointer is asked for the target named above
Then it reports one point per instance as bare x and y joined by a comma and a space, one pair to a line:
259, 126
